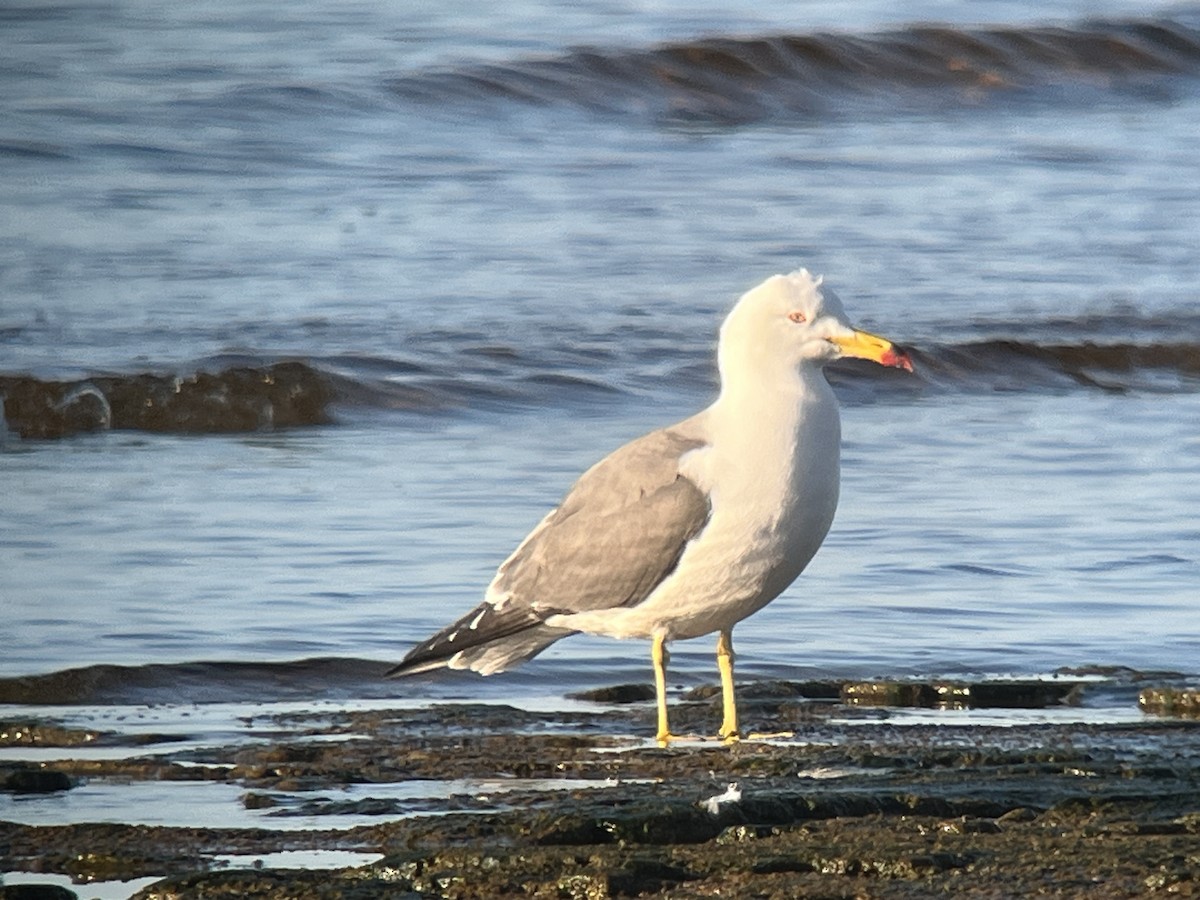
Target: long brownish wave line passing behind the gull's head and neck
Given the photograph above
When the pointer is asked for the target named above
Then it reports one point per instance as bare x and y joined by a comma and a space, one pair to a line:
242, 398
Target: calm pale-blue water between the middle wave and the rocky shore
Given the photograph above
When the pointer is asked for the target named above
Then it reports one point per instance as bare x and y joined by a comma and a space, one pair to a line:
989, 555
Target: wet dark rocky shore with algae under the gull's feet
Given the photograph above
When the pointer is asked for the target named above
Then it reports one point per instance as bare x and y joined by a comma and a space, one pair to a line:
845, 802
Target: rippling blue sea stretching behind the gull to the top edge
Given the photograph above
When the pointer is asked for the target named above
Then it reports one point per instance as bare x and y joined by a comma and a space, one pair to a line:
521, 272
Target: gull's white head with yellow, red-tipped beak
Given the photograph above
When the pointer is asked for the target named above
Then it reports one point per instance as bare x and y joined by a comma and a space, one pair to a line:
791, 323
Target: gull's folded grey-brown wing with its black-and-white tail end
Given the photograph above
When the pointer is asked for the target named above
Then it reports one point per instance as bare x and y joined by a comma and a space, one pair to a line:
619, 533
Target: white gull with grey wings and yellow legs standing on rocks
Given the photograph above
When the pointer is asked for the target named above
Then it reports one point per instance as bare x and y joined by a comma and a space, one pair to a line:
692, 529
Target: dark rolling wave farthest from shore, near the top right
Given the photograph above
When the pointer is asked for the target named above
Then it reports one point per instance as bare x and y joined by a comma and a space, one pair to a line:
737, 80
